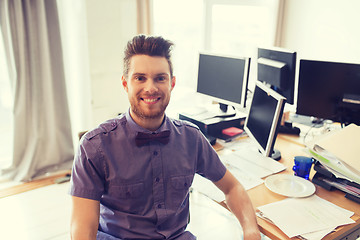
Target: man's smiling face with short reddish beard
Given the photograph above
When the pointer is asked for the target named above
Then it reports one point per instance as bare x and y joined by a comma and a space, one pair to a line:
149, 86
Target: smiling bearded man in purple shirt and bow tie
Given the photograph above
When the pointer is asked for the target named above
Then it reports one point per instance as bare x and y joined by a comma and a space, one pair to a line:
132, 174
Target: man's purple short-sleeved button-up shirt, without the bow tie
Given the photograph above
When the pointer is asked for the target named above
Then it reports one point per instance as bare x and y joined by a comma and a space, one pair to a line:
143, 191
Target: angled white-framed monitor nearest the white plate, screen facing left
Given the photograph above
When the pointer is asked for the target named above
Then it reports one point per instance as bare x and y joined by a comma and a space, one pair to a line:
263, 119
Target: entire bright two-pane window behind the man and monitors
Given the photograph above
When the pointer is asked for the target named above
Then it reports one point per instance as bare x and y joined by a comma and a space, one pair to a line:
229, 27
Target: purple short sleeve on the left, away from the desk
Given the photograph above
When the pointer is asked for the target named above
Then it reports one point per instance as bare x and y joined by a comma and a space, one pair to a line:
87, 178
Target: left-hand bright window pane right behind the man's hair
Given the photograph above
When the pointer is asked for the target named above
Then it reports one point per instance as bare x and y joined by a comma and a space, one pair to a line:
181, 22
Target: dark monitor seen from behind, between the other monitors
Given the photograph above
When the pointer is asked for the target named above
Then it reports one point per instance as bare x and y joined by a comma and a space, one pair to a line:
276, 67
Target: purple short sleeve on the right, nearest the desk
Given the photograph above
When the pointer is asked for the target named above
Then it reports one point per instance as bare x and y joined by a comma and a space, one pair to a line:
209, 164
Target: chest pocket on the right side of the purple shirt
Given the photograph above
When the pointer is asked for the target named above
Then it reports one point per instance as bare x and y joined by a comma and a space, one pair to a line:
180, 190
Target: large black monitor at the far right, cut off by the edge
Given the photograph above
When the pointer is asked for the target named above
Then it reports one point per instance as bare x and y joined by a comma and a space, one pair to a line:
329, 90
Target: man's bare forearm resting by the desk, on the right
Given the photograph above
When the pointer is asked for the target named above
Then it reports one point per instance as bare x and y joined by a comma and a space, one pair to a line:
239, 203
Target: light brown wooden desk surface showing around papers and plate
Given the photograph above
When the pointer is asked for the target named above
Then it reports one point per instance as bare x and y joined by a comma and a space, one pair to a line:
289, 147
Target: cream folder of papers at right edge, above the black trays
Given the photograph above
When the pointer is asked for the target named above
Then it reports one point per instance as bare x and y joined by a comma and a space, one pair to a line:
339, 151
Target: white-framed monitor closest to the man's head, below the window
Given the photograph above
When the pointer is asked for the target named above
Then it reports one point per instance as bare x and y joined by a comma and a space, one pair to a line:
224, 78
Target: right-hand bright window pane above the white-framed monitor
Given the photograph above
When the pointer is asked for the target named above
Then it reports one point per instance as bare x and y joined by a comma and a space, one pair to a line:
237, 29
